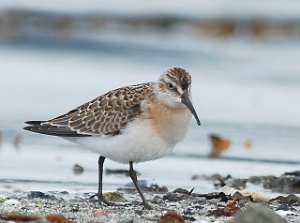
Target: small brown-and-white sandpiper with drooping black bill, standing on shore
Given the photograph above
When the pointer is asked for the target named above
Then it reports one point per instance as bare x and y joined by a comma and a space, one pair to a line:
130, 124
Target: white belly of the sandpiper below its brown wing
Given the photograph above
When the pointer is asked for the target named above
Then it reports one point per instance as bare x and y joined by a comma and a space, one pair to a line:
137, 143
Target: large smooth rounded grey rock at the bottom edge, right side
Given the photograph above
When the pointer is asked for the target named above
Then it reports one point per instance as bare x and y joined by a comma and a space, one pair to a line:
258, 214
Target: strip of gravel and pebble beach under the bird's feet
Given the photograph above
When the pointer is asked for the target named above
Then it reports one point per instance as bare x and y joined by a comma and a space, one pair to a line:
177, 206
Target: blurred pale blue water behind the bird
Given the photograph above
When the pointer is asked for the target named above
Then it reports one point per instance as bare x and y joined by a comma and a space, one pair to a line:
243, 57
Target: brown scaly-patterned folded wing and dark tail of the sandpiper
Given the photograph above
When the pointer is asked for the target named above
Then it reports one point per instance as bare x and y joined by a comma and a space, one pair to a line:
105, 115
